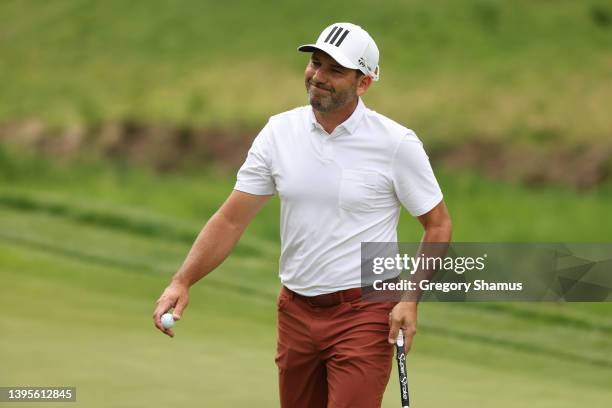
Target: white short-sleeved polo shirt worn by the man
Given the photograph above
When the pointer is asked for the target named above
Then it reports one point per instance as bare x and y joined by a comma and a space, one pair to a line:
336, 191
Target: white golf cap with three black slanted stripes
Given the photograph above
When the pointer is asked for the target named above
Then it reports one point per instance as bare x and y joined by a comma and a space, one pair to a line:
350, 45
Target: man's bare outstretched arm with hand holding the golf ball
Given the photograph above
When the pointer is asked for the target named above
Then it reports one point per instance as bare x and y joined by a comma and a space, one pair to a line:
213, 244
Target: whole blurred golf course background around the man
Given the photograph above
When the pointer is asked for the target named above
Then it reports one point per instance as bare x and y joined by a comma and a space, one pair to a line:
122, 125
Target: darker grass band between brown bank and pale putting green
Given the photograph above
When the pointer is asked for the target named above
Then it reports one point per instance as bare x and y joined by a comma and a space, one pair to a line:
138, 200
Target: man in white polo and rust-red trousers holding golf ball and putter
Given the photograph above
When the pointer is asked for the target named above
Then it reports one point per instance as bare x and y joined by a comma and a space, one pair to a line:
342, 172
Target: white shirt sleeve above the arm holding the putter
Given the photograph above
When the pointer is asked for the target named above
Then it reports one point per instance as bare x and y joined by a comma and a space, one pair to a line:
413, 178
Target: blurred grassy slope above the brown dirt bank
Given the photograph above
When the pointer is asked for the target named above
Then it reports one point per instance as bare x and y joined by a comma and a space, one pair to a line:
451, 70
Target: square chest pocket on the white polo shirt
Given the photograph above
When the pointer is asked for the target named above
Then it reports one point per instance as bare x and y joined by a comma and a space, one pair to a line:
359, 190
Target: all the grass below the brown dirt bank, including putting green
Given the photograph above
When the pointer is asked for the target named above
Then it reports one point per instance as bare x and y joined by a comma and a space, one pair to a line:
84, 254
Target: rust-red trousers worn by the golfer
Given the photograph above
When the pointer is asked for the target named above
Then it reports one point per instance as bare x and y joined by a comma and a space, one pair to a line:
332, 356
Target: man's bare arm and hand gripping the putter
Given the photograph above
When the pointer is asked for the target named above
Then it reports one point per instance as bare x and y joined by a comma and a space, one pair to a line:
438, 229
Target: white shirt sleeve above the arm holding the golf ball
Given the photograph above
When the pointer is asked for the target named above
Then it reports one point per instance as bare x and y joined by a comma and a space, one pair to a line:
255, 175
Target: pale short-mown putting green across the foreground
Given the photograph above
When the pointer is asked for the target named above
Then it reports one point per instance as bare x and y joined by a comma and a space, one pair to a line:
89, 326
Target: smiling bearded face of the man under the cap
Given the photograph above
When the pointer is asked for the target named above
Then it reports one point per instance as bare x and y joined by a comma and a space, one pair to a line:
330, 86
